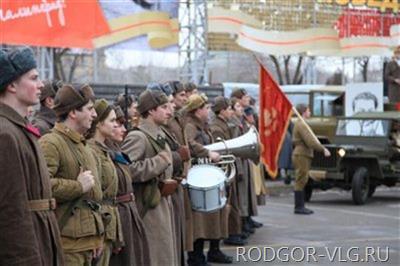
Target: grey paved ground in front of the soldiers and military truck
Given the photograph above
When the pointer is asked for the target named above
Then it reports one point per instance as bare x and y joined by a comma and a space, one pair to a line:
338, 233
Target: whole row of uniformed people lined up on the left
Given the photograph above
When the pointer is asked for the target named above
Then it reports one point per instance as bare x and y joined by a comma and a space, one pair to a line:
93, 182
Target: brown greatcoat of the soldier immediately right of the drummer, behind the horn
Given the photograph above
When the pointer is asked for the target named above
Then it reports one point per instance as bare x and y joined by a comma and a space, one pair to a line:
220, 128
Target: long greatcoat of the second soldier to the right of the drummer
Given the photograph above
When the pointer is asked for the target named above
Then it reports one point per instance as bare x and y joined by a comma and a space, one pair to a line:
245, 184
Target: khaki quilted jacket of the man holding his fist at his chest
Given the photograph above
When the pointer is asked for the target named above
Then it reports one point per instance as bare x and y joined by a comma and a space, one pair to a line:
84, 229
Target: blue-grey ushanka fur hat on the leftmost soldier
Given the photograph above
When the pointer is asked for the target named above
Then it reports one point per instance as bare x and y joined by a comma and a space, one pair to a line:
14, 64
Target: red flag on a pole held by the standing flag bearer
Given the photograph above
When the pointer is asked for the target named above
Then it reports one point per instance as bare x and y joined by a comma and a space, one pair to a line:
275, 114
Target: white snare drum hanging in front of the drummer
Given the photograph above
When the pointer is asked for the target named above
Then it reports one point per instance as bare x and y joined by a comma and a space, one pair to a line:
206, 185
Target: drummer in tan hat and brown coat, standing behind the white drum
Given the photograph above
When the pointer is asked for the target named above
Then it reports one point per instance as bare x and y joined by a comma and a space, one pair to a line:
206, 226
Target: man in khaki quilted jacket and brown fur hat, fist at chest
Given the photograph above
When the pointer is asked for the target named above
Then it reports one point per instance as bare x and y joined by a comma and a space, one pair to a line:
74, 176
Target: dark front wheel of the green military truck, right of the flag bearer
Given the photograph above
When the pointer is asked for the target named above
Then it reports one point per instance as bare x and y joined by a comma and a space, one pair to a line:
360, 186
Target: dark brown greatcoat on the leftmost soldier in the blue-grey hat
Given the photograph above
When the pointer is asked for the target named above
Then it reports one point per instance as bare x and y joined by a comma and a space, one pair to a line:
26, 237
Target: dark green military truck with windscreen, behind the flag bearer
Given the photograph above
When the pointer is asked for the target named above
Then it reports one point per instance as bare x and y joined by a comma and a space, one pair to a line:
365, 154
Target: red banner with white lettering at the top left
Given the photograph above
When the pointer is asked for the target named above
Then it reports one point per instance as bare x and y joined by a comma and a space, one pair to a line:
51, 23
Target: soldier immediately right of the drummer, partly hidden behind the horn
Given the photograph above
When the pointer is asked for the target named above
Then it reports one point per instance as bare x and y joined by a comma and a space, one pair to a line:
223, 128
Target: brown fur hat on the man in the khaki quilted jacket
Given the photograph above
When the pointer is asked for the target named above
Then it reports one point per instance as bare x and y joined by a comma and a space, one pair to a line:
71, 97
